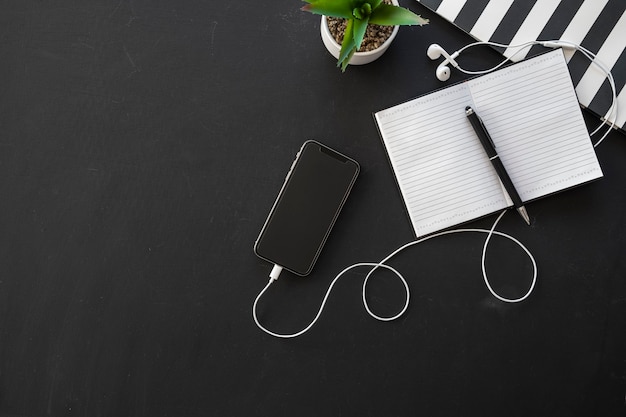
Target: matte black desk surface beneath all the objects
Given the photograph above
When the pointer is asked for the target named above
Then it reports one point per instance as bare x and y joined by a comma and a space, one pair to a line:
142, 144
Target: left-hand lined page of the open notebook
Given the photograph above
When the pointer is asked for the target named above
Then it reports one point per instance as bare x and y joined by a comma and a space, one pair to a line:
441, 168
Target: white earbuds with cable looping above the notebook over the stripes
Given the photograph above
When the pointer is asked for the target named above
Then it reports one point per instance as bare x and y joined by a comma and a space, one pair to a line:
443, 70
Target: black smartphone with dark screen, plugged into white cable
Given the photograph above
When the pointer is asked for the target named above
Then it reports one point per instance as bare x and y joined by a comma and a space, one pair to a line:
307, 206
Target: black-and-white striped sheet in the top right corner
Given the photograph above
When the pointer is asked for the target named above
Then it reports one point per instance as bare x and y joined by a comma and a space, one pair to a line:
598, 25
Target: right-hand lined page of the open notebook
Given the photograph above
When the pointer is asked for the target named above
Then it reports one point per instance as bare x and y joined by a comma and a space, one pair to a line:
533, 117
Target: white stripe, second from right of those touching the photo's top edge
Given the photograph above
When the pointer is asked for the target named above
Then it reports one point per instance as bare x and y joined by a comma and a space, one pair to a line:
530, 30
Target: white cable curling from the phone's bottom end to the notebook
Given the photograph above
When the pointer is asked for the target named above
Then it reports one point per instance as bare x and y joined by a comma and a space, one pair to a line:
383, 264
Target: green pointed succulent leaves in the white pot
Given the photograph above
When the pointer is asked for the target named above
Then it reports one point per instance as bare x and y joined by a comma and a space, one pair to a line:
360, 13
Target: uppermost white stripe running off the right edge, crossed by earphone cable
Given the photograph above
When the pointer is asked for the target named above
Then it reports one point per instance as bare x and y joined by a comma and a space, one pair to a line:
608, 54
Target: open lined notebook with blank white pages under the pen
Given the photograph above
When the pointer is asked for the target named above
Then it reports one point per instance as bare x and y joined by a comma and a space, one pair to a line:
532, 114
